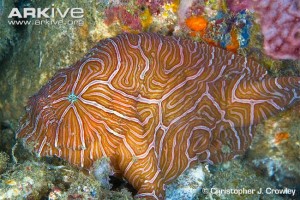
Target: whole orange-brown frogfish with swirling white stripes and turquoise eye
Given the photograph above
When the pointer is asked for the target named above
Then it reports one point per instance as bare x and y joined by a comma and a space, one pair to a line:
155, 106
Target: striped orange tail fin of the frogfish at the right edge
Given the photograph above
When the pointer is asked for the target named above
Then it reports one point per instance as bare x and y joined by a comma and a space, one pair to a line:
257, 100
